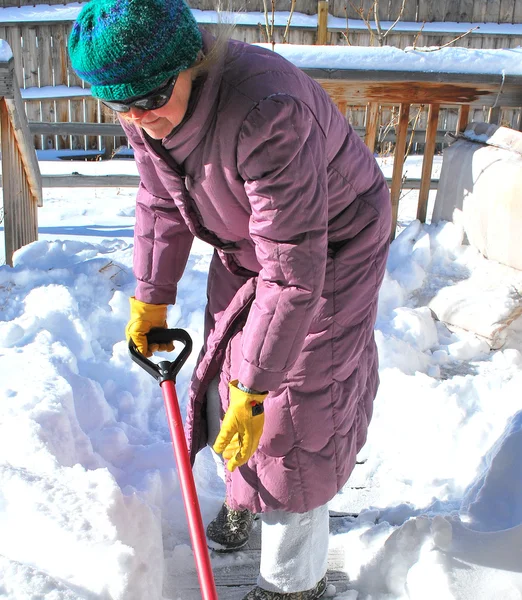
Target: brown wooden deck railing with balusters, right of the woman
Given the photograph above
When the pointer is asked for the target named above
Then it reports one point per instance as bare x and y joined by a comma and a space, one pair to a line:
378, 89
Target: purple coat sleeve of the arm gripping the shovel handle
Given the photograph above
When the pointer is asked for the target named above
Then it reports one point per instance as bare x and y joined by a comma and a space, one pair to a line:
162, 240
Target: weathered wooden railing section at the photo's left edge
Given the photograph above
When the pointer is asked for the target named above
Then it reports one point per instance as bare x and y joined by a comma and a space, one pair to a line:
21, 181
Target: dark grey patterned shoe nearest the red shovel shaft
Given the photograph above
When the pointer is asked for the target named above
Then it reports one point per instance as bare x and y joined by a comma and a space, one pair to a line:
230, 530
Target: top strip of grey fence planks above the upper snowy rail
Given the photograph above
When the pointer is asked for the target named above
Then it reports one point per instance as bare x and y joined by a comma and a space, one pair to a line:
460, 11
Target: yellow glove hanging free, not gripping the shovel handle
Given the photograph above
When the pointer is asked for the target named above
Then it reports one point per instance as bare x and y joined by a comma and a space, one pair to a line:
242, 426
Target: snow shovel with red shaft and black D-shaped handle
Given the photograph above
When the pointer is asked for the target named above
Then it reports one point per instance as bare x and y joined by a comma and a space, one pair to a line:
165, 373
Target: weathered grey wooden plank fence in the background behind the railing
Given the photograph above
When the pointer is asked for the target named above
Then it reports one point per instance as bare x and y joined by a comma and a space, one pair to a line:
54, 94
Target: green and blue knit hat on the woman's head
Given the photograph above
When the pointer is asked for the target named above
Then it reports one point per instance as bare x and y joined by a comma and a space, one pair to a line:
127, 48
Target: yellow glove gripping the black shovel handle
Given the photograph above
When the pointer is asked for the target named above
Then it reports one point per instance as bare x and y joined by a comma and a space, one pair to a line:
145, 317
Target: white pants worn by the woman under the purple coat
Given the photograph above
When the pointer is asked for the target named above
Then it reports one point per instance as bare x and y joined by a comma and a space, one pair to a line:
294, 546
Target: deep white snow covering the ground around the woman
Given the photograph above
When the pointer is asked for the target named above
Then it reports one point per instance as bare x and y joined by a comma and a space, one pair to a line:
90, 506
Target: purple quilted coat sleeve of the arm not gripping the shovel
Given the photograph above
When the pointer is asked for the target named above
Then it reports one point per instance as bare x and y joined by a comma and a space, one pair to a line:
281, 157
